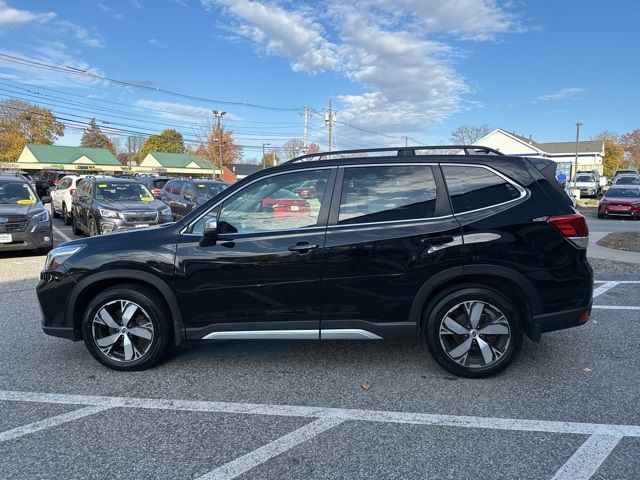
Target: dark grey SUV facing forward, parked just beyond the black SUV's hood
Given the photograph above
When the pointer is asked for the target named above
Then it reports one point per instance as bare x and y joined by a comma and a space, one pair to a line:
103, 205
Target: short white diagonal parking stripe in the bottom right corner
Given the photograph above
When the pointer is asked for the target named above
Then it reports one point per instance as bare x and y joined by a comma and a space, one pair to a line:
588, 458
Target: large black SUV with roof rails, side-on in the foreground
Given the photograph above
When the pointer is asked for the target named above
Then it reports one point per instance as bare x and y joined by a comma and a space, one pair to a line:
466, 252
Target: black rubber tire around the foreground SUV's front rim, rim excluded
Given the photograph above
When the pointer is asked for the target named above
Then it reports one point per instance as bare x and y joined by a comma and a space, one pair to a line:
151, 304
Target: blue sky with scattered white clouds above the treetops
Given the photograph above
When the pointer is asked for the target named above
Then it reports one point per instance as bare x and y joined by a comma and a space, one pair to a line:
415, 68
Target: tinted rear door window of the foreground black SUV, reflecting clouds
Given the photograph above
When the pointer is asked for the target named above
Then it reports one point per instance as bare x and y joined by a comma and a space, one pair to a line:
385, 193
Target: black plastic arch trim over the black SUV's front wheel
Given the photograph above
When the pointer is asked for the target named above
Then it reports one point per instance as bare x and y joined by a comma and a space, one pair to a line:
88, 287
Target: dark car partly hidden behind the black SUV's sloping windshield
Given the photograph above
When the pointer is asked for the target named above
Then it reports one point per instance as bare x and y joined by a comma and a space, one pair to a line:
184, 195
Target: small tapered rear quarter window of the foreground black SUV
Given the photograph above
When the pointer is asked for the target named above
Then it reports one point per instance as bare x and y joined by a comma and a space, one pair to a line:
472, 188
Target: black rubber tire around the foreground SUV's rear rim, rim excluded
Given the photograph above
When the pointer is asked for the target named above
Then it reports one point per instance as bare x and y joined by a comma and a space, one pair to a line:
438, 309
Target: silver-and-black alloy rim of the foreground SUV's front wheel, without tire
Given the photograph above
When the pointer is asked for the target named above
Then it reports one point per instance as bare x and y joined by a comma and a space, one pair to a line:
122, 330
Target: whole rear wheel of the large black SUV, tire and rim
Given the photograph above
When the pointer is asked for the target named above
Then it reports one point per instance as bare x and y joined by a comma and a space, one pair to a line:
473, 332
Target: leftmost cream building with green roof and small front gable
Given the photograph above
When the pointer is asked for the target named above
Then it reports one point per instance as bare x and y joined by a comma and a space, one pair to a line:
38, 157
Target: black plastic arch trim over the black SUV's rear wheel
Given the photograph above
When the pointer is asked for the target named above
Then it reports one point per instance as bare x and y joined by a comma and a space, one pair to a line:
501, 279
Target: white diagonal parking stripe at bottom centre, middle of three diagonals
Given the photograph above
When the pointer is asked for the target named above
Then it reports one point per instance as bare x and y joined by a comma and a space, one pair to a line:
261, 455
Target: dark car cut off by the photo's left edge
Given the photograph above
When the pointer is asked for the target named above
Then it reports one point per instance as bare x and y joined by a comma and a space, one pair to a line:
25, 224
